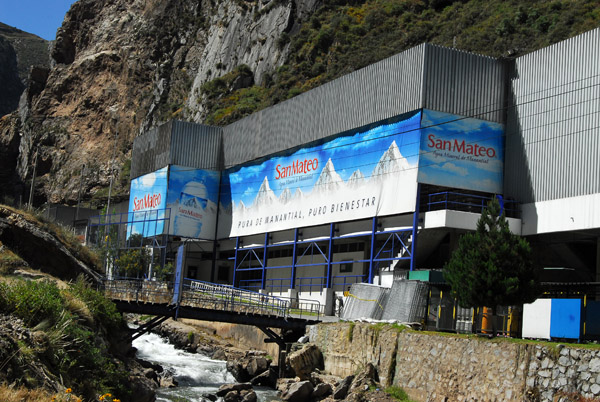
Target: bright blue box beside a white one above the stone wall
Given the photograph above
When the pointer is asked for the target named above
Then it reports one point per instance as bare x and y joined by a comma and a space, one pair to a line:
566, 318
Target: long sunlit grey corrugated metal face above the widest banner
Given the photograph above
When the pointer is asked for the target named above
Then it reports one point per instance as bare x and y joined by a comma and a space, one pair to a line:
377, 92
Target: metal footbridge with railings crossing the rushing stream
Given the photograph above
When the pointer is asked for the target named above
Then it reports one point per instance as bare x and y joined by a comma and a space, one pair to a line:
211, 302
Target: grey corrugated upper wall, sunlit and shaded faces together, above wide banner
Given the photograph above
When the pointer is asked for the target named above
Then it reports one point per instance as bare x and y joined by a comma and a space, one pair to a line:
425, 76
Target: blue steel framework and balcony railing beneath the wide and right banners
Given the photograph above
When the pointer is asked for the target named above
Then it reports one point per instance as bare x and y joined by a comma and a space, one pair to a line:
385, 247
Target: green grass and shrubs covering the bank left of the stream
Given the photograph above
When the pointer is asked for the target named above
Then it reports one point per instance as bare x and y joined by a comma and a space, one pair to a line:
69, 327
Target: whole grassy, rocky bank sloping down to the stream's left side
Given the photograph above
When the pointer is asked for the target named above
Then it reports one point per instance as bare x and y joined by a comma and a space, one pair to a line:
56, 331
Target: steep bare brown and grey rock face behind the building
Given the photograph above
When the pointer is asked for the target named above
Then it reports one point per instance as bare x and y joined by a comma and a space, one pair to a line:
120, 67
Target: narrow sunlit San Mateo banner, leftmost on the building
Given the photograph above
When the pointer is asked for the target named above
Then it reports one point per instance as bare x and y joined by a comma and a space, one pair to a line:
147, 201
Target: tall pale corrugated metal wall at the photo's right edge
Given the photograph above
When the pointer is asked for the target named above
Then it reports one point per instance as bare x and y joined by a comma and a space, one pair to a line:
553, 130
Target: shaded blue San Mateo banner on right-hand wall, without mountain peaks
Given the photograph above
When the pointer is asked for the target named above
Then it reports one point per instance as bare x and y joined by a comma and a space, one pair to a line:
461, 152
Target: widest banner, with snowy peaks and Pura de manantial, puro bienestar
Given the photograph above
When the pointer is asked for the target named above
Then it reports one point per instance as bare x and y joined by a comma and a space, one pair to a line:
354, 176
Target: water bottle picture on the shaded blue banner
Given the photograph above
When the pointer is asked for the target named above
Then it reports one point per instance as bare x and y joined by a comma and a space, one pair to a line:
190, 210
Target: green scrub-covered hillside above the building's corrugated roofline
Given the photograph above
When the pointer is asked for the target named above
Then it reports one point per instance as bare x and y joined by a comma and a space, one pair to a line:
346, 35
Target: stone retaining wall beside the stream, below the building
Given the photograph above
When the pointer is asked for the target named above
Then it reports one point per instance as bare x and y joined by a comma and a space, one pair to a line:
439, 367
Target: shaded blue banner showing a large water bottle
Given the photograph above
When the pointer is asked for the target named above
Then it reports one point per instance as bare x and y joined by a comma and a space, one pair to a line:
193, 197
